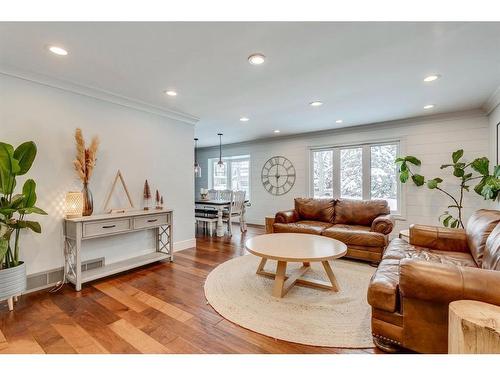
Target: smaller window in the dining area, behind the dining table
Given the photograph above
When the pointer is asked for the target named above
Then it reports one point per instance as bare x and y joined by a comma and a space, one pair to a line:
236, 175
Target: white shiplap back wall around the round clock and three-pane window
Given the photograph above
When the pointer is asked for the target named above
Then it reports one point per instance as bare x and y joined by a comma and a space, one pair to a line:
430, 139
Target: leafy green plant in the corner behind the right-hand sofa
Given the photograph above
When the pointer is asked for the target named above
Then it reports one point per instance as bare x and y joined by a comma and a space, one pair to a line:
475, 172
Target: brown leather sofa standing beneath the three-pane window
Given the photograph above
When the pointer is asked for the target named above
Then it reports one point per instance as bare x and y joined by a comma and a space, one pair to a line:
363, 226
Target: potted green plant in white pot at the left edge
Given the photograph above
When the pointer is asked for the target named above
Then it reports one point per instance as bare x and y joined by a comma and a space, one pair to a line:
14, 211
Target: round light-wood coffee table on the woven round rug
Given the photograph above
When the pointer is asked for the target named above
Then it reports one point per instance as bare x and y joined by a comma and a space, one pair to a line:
295, 247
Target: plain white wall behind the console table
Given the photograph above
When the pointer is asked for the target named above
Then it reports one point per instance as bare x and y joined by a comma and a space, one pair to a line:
142, 145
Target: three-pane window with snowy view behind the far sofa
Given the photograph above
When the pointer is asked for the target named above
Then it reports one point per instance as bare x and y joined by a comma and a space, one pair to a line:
357, 172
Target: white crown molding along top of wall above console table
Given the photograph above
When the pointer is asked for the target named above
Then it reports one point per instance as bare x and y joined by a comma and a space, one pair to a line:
98, 94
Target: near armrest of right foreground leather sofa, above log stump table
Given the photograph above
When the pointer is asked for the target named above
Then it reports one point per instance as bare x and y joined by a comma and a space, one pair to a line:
445, 283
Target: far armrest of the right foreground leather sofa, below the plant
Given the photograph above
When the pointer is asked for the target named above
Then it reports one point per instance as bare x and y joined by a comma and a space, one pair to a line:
439, 238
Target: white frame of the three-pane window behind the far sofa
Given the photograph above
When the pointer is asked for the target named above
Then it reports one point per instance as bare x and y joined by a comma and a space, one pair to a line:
366, 168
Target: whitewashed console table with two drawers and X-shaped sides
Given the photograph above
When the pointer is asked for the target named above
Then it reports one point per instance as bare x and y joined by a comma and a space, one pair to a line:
78, 230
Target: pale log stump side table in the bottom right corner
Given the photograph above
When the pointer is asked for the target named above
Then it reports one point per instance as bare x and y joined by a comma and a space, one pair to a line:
474, 328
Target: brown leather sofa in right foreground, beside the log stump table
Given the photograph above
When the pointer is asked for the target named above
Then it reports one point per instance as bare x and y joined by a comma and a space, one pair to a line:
415, 282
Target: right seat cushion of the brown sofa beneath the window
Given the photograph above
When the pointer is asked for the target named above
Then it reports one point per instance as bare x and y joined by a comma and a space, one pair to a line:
356, 235
